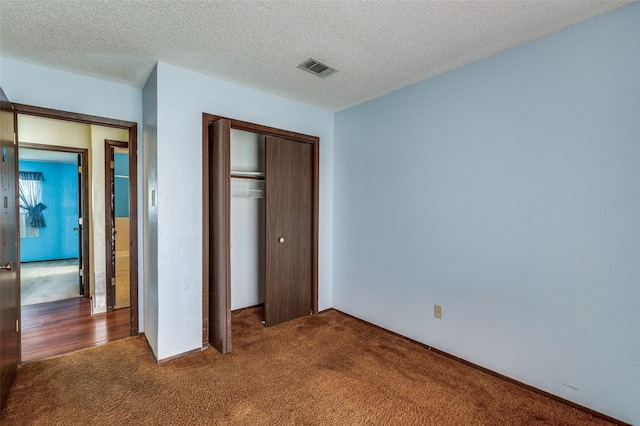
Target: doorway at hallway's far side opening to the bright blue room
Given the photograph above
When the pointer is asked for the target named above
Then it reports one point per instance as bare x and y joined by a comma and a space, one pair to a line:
54, 247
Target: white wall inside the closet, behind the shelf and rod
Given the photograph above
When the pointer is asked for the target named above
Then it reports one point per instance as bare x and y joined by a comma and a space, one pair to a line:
247, 227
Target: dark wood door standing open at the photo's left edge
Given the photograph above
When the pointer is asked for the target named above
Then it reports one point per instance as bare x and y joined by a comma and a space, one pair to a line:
9, 279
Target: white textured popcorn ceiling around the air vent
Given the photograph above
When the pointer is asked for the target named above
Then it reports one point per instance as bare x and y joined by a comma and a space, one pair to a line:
377, 46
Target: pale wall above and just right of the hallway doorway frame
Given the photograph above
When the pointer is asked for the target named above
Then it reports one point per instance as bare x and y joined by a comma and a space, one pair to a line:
50, 88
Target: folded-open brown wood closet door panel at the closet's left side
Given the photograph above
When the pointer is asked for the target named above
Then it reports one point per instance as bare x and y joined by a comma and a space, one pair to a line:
219, 236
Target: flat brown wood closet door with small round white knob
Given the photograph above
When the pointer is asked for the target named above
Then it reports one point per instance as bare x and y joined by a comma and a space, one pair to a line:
289, 229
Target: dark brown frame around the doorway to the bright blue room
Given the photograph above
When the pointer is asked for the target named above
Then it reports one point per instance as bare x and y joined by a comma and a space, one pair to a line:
86, 255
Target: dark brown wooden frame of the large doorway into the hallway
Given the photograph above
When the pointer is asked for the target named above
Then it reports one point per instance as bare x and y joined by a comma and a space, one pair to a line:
132, 128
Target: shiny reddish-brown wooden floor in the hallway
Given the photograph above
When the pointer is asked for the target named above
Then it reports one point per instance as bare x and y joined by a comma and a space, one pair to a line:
55, 328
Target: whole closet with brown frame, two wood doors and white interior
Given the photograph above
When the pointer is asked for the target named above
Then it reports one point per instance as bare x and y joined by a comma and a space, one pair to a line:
260, 219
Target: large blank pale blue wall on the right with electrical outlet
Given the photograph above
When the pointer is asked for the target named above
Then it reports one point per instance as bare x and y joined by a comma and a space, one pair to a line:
506, 191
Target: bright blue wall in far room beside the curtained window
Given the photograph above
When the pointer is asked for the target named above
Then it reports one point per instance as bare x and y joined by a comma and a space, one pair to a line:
57, 240
